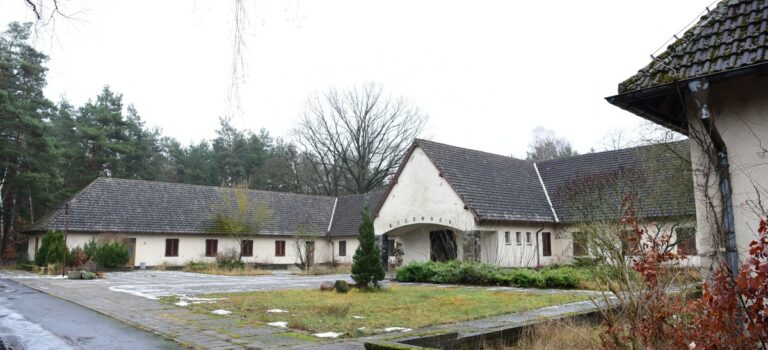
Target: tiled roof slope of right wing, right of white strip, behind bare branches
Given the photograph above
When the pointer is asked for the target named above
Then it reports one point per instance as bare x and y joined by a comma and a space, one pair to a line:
592, 186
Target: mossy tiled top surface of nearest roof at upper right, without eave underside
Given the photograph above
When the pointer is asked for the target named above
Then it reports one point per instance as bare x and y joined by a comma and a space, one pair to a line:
731, 36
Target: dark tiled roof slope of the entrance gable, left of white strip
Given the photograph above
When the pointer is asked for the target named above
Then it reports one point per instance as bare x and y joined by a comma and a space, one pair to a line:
494, 187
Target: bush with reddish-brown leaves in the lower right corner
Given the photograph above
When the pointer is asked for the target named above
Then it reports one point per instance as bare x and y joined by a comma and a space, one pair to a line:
731, 314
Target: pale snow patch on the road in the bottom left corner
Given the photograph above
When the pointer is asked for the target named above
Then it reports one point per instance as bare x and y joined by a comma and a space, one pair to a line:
16, 328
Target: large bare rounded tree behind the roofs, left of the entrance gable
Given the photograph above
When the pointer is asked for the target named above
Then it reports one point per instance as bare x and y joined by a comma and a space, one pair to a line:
355, 139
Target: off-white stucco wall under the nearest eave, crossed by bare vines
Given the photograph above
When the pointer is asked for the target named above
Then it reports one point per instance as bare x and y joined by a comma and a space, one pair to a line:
740, 111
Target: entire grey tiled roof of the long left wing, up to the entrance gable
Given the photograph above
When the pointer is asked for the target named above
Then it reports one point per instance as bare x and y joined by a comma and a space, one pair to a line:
136, 206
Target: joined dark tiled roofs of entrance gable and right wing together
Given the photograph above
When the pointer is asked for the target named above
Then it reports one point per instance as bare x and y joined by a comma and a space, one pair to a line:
497, 188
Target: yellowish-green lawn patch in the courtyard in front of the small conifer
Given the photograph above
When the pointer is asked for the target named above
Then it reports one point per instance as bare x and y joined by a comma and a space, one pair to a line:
398, 306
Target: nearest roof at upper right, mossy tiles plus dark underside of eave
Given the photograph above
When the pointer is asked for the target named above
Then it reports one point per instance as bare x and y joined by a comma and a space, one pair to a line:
728, 42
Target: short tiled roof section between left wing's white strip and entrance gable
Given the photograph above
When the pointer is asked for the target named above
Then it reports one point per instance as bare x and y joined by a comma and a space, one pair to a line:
347, 216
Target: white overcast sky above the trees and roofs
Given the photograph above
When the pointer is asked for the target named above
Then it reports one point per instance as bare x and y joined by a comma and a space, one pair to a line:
487, 73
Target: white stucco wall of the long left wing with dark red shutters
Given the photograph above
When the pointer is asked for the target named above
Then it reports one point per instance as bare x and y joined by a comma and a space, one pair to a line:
150, 249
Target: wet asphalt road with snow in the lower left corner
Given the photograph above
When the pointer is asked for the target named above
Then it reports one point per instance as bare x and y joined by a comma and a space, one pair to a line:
33, 320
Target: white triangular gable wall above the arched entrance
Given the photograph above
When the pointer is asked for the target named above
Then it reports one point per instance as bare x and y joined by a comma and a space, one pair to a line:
422, 196
